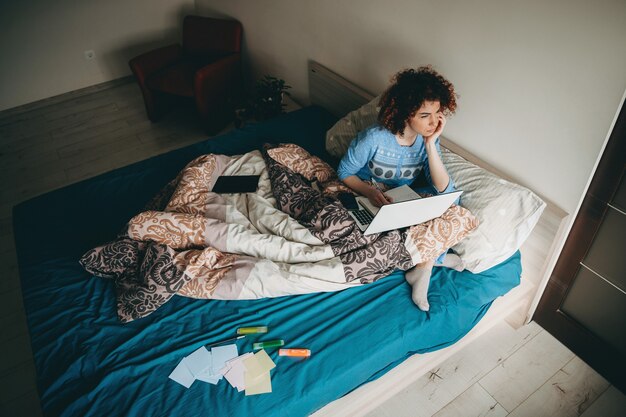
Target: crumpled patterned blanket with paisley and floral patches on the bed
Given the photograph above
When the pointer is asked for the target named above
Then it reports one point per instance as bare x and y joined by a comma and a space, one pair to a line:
290, 237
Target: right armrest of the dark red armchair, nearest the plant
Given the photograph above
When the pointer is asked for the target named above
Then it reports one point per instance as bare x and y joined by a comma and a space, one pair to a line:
215, 81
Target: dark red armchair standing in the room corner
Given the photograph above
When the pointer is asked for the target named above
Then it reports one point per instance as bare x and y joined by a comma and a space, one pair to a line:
206, 68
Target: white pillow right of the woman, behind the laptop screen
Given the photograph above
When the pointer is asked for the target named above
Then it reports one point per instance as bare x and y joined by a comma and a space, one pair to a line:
507, 212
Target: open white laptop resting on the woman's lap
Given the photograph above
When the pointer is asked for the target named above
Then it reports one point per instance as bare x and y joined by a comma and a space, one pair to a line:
407, 209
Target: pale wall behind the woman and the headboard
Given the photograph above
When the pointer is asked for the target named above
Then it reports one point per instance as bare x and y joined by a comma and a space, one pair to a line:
540, 81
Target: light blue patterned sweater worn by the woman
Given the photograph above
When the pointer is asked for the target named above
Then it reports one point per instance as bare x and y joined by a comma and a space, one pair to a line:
375, 153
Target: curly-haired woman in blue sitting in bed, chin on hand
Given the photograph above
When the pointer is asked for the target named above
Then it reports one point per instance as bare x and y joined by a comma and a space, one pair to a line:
403, 148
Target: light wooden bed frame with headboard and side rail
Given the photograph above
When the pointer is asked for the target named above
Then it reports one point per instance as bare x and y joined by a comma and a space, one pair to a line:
539, 253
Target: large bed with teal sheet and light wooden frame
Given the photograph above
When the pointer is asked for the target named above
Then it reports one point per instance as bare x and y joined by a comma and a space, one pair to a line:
367, 341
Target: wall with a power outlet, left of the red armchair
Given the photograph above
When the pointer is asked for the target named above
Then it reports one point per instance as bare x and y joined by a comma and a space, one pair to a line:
43, 41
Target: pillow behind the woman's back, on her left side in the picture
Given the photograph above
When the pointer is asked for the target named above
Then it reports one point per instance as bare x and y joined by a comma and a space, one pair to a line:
339, 136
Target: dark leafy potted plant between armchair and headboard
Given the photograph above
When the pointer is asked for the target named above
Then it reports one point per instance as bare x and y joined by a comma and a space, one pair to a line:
265, 100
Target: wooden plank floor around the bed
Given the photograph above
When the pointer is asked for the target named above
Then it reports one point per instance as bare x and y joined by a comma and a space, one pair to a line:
59, 141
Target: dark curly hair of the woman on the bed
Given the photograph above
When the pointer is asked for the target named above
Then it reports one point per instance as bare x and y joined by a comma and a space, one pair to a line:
409, 90
